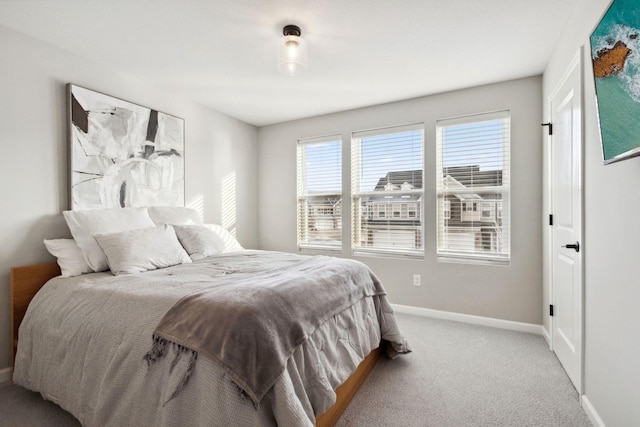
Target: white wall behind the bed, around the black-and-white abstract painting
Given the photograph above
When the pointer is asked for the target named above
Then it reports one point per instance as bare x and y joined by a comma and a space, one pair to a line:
33, 164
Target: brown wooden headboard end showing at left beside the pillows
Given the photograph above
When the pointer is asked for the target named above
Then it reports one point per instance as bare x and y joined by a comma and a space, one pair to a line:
25, 282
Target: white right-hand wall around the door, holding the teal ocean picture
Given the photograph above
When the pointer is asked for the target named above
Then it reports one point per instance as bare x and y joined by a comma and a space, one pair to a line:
611, 236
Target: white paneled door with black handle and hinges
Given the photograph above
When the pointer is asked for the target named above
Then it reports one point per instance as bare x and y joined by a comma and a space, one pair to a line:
566, 207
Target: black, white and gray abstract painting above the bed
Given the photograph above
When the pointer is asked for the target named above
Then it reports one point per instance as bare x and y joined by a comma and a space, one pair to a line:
123, 154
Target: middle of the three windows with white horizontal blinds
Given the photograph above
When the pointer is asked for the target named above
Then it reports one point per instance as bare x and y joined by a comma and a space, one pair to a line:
387, 190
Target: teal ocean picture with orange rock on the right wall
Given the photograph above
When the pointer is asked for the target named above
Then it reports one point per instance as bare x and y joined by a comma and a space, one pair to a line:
615, 53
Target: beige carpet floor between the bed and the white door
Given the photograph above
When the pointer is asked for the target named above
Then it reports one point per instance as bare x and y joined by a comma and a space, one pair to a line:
465, 375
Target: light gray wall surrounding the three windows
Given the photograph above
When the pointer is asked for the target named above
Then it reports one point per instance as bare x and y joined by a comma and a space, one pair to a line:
510, 293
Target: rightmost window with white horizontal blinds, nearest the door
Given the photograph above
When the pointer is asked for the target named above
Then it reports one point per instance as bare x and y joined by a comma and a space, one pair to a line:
473, 187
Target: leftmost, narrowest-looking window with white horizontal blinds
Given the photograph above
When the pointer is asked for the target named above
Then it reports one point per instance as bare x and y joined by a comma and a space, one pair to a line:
319, 187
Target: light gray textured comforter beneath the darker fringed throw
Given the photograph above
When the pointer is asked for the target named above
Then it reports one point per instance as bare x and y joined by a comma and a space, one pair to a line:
83, 342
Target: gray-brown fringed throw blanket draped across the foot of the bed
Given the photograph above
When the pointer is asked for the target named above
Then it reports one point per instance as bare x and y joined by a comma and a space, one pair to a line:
251, 319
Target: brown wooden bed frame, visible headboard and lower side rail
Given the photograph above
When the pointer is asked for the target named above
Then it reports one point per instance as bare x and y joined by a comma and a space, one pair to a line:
27, 281
